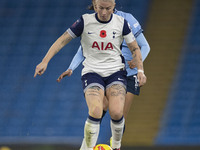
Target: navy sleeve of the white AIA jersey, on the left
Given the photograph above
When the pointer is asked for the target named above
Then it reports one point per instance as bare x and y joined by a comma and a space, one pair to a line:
77, 27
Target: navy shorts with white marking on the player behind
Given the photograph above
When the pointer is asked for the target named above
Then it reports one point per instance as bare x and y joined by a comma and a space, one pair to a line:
133, 85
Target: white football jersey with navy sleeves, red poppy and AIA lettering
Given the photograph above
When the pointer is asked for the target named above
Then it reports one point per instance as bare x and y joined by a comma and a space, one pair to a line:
101, 43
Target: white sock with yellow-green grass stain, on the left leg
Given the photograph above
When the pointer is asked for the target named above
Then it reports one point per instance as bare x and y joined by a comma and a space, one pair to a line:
91, 133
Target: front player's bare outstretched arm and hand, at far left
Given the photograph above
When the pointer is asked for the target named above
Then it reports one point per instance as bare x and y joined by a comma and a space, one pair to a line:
54, 49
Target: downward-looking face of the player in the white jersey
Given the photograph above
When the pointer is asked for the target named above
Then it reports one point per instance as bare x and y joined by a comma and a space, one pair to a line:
104, 9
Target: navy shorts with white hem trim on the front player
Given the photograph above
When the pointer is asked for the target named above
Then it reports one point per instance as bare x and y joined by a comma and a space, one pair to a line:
93, 79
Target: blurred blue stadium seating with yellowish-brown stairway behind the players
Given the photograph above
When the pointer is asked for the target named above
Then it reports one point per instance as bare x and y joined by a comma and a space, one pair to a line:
39, 113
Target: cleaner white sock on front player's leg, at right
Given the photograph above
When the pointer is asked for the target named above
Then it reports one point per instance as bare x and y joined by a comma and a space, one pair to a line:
117, 132
